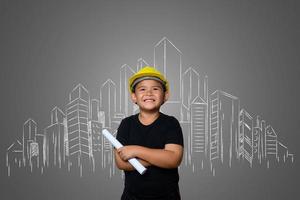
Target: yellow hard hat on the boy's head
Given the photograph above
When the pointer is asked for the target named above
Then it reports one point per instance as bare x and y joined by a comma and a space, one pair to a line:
147, 73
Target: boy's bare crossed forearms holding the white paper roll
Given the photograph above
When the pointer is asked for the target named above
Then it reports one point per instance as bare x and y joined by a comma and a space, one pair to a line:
169, 157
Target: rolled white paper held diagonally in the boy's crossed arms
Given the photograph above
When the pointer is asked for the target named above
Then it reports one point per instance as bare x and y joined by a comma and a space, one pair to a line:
133, 161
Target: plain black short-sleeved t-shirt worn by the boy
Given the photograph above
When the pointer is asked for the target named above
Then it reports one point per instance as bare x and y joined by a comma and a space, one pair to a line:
156, 181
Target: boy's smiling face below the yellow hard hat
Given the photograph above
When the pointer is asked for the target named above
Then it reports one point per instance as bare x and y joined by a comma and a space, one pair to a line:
149, 95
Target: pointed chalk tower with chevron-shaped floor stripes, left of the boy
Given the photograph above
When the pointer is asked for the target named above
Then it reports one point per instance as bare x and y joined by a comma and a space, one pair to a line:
77, 111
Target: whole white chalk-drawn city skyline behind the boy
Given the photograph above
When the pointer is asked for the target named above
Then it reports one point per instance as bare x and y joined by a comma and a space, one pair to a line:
217, 131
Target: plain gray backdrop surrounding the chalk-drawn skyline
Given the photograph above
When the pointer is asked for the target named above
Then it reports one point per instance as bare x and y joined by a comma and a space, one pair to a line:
247, 48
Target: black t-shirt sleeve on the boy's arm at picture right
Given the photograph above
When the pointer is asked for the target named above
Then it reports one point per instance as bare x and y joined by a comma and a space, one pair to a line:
174, 133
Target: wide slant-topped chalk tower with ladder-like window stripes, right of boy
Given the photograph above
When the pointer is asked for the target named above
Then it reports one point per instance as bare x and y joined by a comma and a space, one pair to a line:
224, 134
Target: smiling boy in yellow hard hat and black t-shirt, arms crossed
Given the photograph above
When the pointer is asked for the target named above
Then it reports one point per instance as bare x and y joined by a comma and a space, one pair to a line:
152, 137
